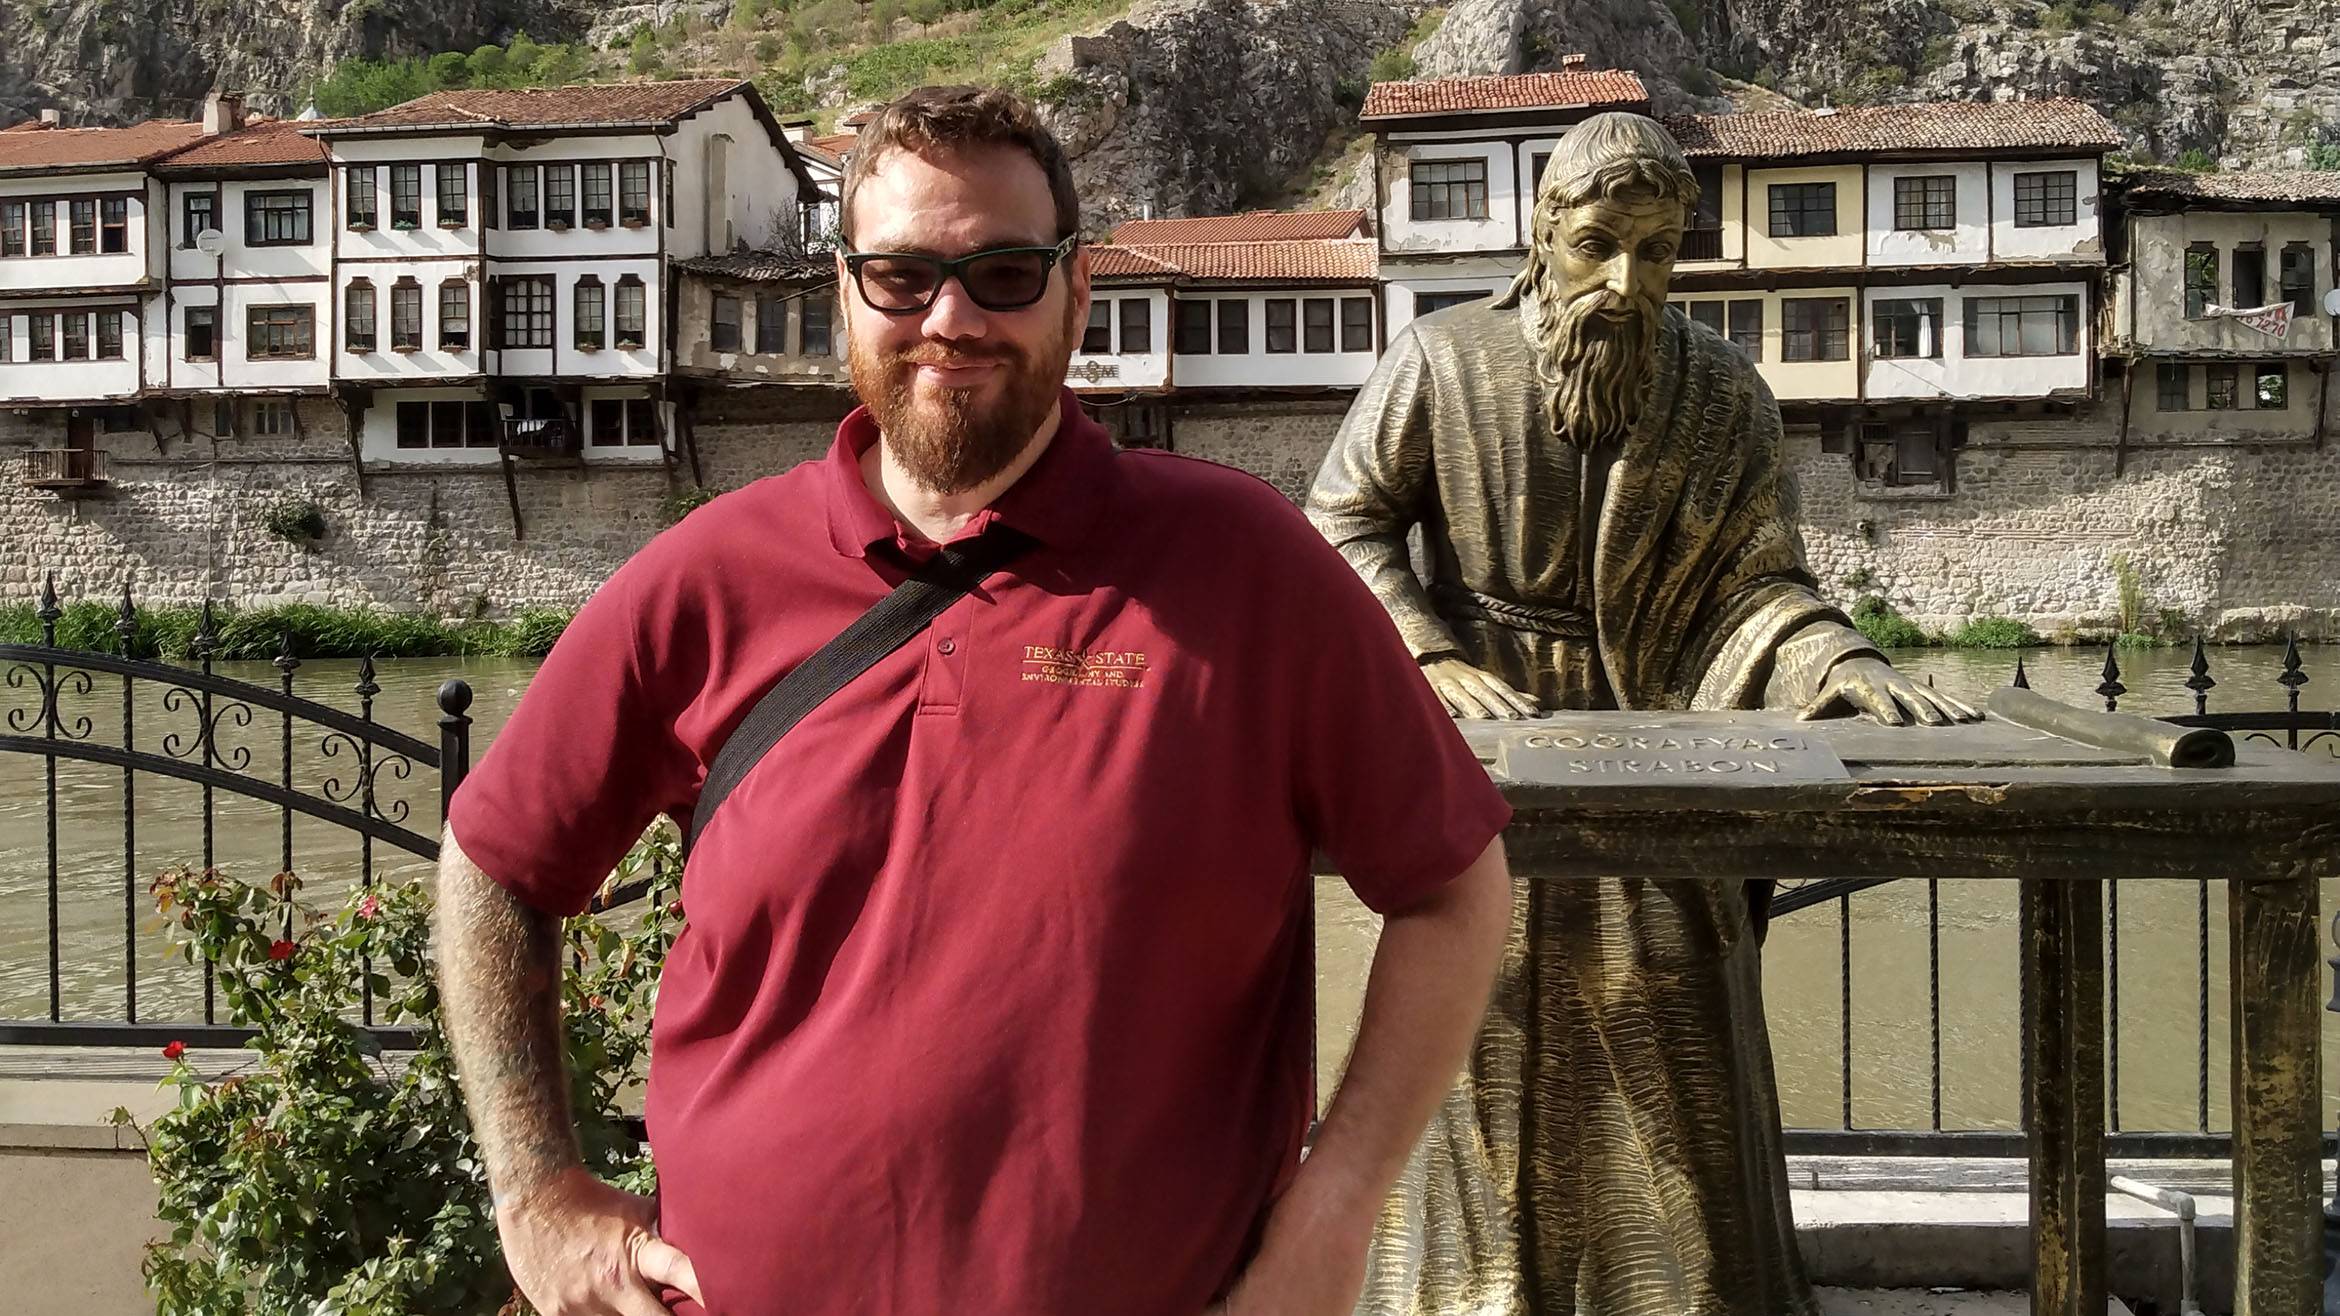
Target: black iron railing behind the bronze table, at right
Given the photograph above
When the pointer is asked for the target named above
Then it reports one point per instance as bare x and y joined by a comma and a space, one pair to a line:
2287, 727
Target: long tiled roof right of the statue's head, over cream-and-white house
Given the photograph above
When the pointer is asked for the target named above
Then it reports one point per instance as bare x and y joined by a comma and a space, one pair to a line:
1885, 130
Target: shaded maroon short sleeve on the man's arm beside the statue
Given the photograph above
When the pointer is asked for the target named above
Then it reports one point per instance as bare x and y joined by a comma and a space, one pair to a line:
1386, 786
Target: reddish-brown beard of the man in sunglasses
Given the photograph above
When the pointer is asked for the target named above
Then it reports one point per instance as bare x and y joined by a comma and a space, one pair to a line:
954, 439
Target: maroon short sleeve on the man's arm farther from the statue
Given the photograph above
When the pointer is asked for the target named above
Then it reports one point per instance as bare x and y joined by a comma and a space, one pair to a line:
591, 755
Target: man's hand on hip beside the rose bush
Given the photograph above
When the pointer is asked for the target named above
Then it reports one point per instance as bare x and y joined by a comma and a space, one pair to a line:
579, 1247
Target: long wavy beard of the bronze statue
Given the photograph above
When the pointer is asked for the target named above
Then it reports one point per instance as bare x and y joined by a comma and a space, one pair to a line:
1595, 369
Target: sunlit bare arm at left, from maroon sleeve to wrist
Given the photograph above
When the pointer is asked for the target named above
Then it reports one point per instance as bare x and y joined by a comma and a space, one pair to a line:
502, 987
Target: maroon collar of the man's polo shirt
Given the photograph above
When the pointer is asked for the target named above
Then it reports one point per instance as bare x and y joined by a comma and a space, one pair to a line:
1057, 502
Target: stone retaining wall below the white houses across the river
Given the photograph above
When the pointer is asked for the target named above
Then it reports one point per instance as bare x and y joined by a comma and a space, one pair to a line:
2243, 537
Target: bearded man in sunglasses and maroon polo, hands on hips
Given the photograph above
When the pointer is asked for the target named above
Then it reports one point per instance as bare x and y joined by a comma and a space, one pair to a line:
996, 989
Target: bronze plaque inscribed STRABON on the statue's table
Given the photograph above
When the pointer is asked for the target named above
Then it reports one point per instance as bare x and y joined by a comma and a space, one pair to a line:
1658, 753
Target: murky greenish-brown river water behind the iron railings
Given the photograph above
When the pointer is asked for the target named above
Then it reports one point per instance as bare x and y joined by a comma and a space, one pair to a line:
1892, 1017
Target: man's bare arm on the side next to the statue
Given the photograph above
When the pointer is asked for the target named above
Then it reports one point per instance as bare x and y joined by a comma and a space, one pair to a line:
1422, 1010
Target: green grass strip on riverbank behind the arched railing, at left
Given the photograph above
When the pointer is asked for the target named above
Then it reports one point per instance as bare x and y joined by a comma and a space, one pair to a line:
315, 633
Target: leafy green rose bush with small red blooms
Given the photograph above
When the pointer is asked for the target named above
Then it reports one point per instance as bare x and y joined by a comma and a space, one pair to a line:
326, 1177
